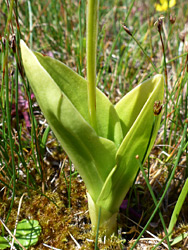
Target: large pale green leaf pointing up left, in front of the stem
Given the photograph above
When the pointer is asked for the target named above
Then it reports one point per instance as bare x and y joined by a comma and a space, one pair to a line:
93, 156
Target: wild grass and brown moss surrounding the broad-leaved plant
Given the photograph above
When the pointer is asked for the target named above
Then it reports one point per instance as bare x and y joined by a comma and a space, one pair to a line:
33, 163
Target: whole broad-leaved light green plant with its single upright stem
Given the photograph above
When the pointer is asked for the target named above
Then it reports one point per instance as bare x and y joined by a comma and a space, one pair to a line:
101, 139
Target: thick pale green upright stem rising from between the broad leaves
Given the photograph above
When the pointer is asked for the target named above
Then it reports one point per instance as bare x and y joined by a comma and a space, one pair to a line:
91, 38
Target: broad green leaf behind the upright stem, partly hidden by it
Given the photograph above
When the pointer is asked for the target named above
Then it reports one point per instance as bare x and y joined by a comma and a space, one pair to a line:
75, 88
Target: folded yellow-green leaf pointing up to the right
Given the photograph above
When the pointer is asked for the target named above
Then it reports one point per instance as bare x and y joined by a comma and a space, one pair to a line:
138, 140
